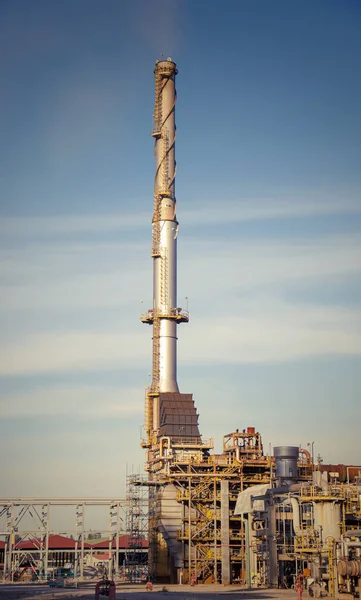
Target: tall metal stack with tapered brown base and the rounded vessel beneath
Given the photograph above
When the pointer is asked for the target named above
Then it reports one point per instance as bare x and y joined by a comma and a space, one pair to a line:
171, 420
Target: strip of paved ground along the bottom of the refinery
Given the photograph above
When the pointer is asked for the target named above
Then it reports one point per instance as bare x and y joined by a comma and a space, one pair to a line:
138, 592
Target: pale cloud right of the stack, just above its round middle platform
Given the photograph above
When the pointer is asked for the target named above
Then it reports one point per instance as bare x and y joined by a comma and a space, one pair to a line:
231, 267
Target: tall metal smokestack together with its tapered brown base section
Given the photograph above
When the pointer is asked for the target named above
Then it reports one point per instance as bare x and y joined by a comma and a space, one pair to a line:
163, 399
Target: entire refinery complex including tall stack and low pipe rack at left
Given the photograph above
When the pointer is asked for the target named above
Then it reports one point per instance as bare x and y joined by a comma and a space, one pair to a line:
238, 517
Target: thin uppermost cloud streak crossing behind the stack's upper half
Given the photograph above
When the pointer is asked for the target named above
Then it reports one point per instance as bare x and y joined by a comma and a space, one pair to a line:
237, 210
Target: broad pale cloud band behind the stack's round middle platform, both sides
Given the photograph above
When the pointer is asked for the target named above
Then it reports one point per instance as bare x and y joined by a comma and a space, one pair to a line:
242, 289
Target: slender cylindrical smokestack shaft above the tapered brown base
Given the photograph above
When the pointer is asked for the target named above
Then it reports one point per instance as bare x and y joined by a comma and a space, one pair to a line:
165, 315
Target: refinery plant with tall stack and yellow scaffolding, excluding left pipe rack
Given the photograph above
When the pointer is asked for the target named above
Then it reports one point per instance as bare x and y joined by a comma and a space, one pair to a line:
238, 516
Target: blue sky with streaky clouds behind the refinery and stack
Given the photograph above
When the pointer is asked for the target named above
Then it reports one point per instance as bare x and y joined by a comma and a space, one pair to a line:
268, 190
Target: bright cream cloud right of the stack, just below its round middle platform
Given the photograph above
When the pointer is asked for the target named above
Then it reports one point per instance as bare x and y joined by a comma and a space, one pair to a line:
273, 334
